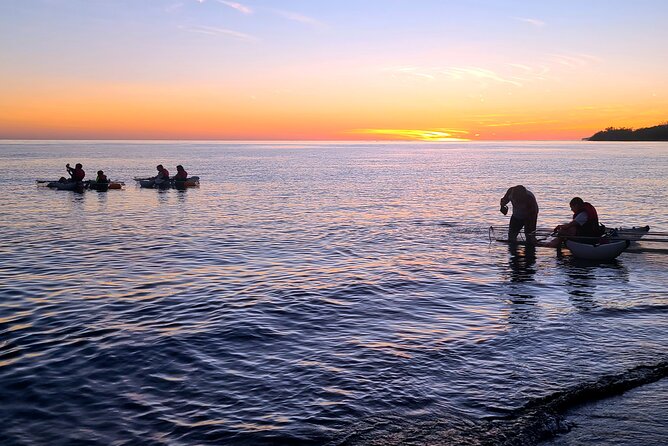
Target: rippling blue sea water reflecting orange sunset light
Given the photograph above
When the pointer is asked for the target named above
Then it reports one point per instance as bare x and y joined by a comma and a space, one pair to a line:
320, 293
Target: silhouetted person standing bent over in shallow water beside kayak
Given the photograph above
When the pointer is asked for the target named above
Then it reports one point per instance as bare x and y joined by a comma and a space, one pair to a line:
525, 212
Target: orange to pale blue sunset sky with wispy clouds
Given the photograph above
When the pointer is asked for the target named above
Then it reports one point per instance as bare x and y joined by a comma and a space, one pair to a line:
433, 70
